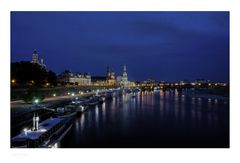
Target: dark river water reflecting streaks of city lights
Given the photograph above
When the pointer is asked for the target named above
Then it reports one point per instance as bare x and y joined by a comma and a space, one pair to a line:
152, 119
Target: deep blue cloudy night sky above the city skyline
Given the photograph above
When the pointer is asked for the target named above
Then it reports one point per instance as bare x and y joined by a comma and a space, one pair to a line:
167, 46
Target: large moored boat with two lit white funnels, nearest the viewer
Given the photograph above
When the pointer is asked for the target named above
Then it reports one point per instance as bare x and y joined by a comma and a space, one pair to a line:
45, 134
